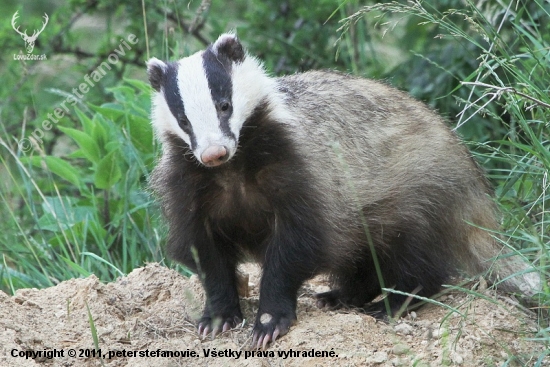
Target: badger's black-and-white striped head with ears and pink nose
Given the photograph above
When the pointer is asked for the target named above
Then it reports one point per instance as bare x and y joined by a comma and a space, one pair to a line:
205, 98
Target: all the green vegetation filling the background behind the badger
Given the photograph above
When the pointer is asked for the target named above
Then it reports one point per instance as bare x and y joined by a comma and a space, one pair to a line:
77, 202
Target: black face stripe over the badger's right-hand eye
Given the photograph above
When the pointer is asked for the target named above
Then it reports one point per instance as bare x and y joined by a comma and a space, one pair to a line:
218, 73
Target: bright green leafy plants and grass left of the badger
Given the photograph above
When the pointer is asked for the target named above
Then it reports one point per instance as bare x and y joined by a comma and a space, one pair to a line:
86, 213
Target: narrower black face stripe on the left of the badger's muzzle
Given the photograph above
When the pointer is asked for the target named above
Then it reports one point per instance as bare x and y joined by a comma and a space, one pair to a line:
174, 101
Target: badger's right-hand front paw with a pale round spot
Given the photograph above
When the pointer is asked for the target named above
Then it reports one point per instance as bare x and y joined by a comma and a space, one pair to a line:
269, 327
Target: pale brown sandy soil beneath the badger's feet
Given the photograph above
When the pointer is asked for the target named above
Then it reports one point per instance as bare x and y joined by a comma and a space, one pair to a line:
154, 308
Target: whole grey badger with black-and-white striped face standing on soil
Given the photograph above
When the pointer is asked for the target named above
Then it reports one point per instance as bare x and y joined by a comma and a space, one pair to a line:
314, 173
